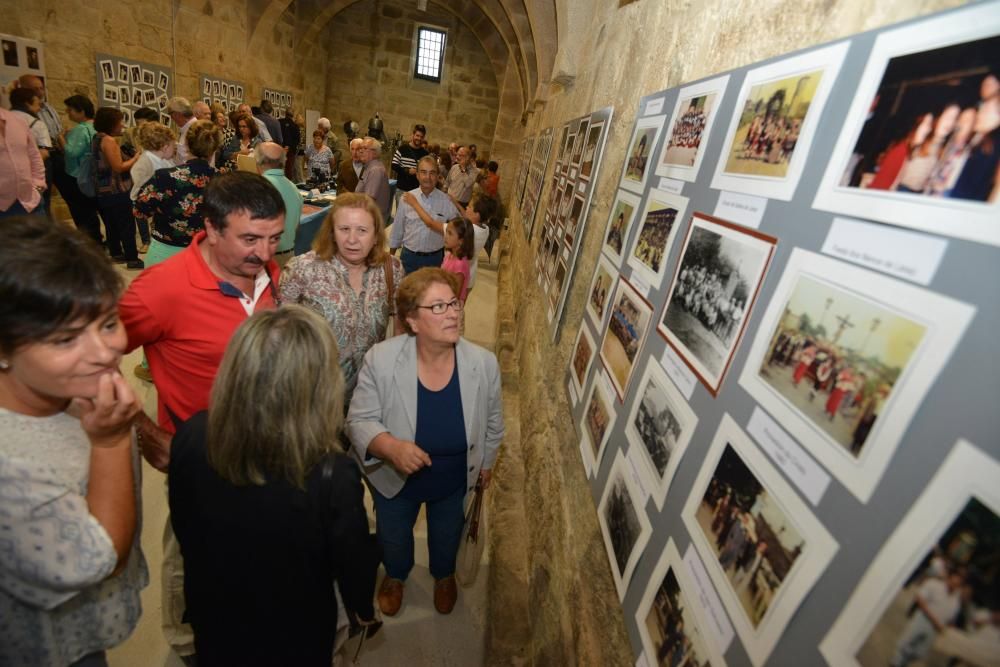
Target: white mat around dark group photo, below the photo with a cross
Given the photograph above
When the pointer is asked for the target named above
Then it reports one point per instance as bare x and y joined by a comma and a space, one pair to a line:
819, 549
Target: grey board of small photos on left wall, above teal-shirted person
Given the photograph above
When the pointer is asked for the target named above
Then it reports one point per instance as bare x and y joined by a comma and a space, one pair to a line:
131, 84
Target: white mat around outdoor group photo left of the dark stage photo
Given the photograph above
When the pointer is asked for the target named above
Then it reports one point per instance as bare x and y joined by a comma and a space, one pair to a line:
828, 59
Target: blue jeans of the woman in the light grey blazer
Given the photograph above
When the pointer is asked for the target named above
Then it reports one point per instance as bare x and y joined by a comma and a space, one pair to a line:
394, 520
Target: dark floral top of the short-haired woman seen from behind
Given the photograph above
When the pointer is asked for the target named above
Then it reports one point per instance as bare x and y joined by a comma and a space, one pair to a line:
171, 202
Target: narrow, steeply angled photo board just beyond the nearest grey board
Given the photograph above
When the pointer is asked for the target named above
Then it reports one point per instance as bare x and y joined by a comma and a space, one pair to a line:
579, 146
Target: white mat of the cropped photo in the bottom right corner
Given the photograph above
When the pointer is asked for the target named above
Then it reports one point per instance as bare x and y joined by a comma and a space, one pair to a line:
966, 473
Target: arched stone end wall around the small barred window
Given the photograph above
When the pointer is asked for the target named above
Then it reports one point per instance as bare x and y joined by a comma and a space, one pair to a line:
373, 43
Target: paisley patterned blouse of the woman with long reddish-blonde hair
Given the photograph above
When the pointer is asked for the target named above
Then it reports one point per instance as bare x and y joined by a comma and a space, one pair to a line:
359, 319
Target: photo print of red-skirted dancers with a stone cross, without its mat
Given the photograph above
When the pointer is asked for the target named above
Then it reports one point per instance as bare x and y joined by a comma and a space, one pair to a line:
836, 358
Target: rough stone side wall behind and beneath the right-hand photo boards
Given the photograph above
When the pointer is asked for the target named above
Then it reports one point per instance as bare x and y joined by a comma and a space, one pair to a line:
551, 575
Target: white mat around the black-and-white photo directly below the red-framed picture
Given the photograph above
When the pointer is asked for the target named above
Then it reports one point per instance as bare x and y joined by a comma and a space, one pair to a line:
681, 411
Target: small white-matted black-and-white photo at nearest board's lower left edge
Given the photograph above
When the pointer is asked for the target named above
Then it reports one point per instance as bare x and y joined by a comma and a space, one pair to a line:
624, 523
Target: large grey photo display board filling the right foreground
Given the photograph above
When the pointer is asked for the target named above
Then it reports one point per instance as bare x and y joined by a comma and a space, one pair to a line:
784, 383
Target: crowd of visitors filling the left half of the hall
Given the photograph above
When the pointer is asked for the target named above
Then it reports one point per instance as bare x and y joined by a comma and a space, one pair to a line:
280, 384
